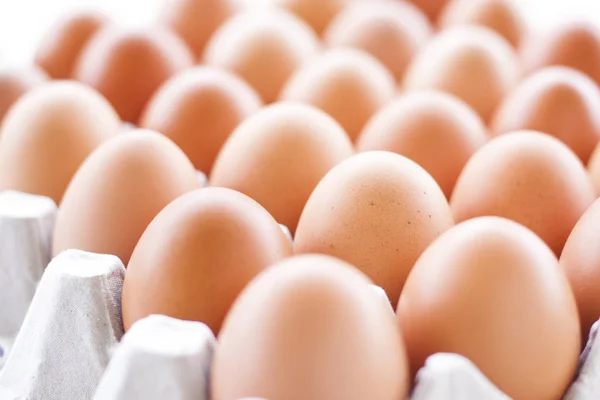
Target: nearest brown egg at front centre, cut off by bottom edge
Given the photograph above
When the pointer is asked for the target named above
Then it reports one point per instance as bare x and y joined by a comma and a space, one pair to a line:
310, 327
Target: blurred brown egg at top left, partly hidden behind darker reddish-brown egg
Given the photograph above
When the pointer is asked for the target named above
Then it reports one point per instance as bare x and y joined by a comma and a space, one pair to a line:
63, 44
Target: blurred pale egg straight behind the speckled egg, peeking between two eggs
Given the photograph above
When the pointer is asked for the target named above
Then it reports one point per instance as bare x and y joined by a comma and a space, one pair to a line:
348, 84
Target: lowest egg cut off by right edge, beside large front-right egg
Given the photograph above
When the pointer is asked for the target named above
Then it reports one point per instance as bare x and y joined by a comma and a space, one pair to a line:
581, 260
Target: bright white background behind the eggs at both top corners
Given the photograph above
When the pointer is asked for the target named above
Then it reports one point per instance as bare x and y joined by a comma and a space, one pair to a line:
24, 22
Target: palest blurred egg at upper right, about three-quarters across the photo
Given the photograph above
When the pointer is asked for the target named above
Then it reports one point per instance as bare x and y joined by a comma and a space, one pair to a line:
472, 63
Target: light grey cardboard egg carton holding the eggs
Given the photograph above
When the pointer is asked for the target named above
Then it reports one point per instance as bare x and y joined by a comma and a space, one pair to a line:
71, 343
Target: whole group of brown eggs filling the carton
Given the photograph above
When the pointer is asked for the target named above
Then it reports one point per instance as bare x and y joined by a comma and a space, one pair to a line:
488, 288
